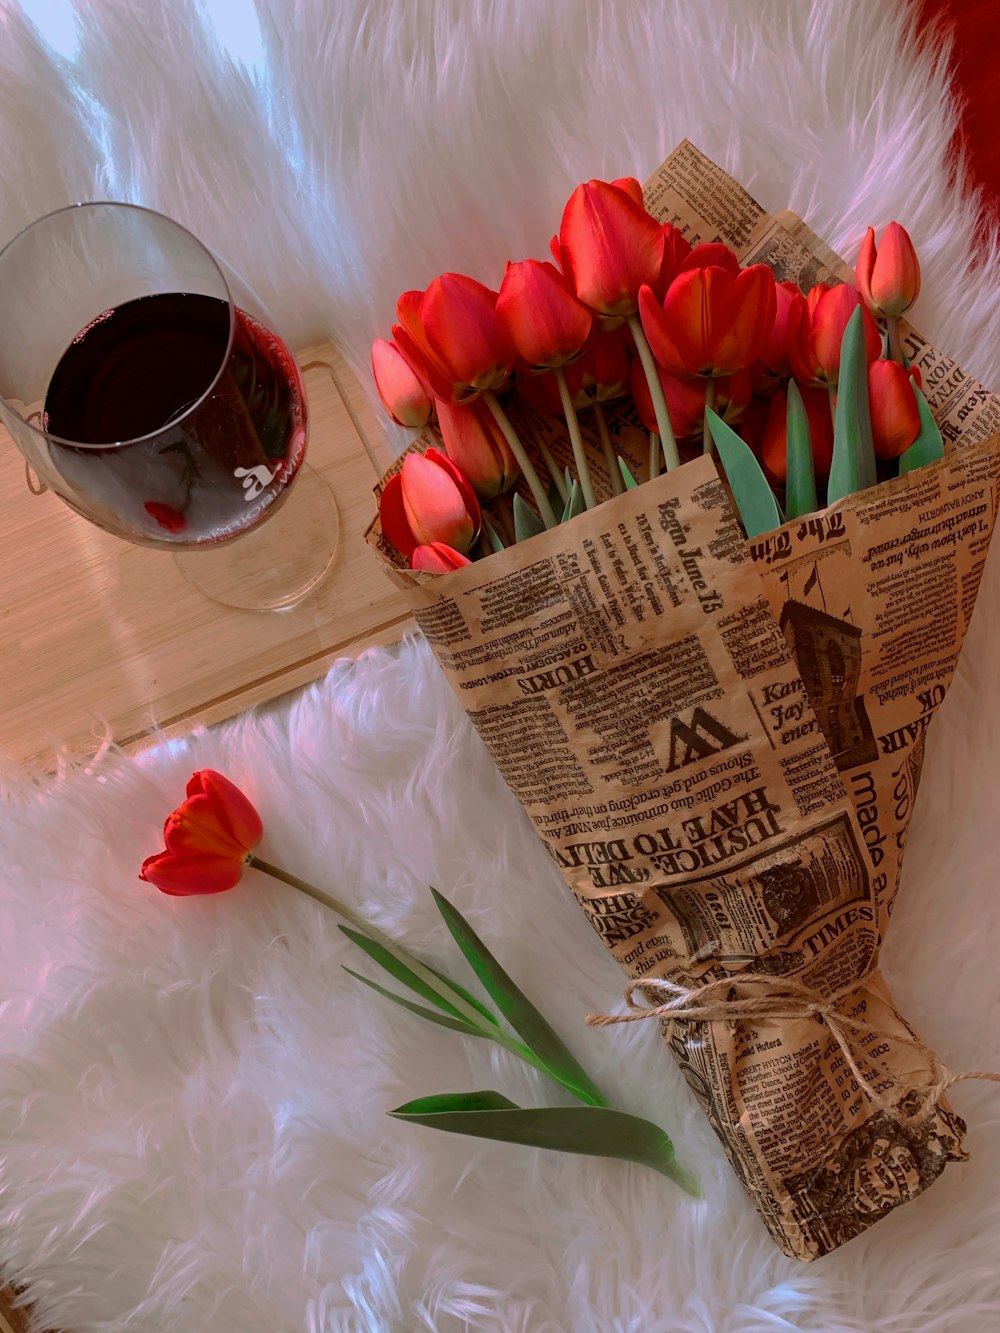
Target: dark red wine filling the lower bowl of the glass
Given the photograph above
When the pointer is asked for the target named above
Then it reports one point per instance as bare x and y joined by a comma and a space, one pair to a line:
159, 422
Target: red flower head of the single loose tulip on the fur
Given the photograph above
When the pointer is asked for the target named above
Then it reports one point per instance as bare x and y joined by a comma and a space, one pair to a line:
210, 839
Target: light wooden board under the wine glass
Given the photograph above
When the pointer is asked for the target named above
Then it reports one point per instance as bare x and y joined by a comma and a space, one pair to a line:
106, 641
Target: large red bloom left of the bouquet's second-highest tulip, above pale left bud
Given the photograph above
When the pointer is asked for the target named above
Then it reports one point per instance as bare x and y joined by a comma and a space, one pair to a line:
454, 325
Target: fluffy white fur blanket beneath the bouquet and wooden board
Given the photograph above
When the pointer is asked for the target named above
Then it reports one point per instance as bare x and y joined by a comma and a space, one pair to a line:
193, 1094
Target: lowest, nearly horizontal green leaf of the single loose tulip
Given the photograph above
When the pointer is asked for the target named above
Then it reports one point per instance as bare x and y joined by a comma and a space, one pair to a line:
591, 1131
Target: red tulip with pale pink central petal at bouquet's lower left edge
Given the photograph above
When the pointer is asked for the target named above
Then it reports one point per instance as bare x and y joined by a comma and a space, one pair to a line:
429, 501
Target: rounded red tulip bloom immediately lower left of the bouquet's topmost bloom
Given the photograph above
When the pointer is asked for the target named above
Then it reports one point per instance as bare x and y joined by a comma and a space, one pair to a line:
541, 317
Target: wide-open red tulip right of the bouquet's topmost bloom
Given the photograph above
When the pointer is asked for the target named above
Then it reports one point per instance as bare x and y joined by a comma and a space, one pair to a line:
711, 322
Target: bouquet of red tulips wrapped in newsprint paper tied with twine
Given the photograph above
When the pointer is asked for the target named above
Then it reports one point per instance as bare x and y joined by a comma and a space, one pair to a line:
702, 619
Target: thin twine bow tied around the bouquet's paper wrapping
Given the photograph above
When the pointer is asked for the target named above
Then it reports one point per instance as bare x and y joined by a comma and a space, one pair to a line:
786, 998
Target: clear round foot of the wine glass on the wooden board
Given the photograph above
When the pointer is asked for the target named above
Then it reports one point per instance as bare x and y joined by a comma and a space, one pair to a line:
275, 566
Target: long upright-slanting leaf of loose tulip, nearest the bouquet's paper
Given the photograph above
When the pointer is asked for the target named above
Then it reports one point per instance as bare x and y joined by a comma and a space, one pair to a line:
526, 1020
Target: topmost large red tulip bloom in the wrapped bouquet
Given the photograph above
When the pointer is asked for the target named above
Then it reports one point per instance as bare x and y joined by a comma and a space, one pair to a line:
609, 247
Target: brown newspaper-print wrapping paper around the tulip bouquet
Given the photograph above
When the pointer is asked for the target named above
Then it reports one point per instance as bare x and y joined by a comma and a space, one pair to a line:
721, 744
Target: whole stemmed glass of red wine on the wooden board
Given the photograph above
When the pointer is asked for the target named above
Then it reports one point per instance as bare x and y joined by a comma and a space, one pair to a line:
145, 383
